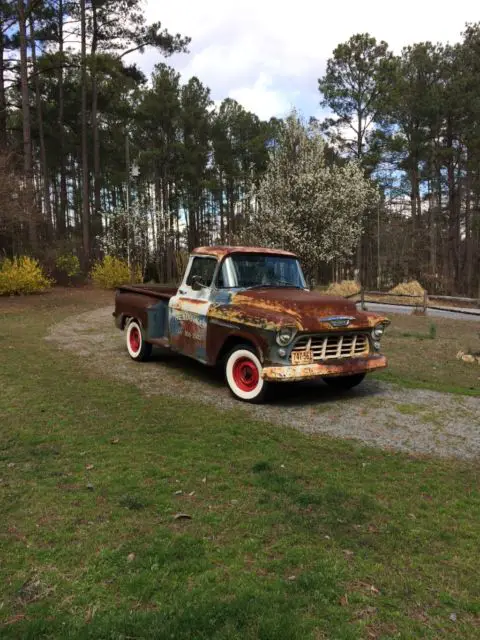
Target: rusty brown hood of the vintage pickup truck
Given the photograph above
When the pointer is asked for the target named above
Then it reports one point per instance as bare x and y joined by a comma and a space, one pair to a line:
307, 310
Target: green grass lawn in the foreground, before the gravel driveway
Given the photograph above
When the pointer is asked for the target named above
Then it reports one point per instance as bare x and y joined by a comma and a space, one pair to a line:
288, 536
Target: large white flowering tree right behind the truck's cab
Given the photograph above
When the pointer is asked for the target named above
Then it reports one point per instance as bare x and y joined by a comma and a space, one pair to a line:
306, 206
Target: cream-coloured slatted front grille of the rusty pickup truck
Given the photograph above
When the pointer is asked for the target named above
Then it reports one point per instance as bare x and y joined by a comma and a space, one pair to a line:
333, 347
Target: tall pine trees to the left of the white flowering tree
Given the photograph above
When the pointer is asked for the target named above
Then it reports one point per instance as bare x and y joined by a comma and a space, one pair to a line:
95, 156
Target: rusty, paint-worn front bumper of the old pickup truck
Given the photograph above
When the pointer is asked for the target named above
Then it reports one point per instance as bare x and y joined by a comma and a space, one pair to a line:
291, 373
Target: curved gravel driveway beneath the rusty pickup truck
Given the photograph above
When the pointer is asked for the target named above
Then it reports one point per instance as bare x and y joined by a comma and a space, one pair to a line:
376, 413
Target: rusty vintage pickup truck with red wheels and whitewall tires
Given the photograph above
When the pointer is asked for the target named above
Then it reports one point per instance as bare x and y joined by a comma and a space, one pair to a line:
249, 310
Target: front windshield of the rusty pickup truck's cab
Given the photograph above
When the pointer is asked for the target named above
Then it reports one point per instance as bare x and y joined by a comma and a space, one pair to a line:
256, 270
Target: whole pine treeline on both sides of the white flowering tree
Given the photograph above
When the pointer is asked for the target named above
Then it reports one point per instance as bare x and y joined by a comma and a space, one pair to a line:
95, 157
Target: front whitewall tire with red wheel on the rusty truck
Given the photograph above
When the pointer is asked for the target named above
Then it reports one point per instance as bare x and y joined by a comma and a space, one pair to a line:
243, 372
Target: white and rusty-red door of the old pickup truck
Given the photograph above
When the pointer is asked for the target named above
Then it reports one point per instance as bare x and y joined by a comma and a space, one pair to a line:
188, 309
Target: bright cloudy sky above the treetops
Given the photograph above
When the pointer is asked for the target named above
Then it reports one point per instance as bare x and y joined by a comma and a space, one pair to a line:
268, 56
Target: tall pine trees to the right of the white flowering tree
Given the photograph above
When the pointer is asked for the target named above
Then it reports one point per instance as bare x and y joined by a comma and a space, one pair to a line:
413, 121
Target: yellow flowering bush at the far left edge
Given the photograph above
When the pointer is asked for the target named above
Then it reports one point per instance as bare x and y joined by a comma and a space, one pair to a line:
22, 275
